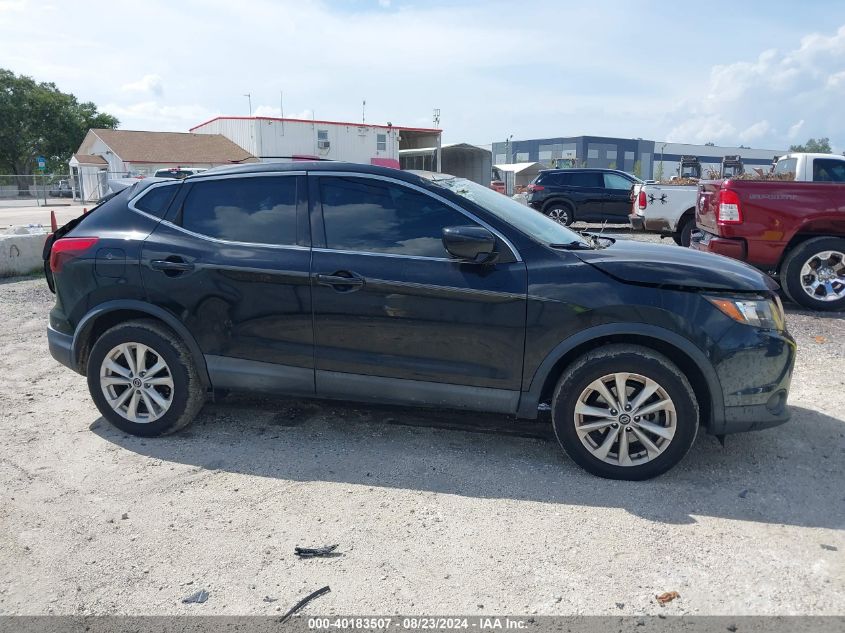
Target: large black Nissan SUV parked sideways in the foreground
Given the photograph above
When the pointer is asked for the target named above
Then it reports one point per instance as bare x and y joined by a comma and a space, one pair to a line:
356, 282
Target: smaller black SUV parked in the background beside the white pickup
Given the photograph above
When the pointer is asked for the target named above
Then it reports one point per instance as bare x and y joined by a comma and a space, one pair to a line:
587, 195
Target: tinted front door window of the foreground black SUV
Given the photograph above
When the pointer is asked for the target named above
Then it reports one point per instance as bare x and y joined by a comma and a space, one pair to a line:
373, 216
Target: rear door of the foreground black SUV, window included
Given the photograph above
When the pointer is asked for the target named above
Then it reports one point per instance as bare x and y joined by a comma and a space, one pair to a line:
232, 263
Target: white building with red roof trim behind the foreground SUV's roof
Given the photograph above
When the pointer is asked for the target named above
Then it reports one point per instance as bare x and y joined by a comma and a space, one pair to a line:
277, 139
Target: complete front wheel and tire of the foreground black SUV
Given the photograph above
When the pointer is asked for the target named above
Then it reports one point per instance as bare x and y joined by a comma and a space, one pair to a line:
676, 423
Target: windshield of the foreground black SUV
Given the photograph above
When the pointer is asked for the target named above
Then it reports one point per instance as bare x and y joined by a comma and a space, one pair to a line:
523, 218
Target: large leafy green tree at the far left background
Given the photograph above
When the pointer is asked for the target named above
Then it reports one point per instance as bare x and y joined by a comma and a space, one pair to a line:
38, 119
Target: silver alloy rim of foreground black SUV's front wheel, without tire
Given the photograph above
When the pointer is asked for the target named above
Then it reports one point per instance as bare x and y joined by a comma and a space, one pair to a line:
625, 419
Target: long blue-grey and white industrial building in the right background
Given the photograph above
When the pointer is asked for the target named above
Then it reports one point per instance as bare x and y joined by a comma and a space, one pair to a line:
644, 158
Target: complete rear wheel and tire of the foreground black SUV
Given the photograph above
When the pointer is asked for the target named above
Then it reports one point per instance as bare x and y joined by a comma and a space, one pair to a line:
177, 384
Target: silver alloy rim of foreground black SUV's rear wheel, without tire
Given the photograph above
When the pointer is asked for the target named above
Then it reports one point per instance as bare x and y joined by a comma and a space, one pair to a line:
136, 382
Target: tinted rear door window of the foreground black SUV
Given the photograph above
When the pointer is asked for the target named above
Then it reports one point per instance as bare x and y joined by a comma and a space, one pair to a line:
259, 210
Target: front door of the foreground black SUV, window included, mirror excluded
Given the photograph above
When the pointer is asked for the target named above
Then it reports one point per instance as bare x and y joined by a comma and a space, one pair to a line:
396, 318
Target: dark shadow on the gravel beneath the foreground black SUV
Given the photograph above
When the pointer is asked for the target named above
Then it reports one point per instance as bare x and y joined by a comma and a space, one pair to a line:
792, 474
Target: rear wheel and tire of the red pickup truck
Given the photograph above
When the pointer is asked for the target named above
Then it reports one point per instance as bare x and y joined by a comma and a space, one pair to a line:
806, 263
